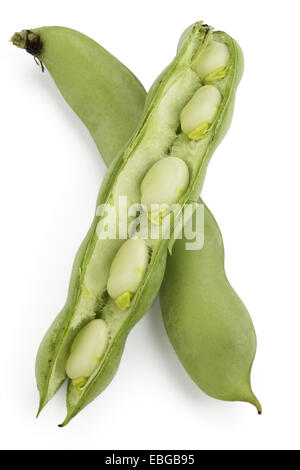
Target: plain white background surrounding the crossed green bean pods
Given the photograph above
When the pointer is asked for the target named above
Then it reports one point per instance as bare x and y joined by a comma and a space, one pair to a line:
50, 174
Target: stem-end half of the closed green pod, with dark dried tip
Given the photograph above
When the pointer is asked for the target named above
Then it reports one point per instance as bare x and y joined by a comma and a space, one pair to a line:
86, 73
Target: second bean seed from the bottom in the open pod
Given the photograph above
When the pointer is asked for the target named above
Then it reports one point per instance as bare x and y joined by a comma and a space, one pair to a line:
127, 271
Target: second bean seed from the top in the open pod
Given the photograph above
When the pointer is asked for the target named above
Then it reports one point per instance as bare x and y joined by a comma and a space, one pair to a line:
200, 112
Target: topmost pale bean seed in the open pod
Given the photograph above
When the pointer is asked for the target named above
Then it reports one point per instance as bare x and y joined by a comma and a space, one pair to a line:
213, 61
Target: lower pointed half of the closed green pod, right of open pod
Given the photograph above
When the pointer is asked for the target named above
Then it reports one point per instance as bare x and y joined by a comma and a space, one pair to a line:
207, 323
